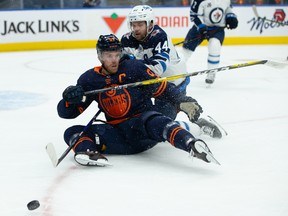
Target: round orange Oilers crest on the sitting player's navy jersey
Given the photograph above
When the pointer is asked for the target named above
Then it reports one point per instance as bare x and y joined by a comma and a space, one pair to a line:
115, 103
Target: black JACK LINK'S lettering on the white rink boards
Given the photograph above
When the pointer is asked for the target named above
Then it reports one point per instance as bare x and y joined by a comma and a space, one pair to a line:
38, 27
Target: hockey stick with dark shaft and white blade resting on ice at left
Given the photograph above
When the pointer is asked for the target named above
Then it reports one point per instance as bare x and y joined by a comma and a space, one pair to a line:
51, 150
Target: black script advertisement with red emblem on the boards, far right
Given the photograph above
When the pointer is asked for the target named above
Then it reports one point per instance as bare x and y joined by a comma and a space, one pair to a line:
262, 23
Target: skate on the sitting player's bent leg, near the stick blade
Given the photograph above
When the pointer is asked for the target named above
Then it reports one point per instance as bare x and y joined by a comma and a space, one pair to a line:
91, 158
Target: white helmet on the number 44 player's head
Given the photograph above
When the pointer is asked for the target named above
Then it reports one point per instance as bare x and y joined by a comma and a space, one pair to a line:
142, 13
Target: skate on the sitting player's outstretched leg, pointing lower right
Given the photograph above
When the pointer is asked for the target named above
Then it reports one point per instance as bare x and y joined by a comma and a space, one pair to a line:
200, 150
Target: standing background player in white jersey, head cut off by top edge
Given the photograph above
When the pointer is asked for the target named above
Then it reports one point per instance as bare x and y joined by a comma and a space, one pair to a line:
210, 17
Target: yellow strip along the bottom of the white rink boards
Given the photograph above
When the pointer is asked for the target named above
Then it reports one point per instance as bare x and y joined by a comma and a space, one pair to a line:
91, 43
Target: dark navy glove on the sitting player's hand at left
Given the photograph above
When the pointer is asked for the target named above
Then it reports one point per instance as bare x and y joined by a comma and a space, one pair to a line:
74, 94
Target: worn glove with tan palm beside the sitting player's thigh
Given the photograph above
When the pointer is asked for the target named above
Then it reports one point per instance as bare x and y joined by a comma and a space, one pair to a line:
191, 107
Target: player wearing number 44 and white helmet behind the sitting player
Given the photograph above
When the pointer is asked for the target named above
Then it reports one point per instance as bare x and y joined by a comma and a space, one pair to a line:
148, 42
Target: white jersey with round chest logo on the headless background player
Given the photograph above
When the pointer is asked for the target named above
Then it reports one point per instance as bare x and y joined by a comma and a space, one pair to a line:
210, 12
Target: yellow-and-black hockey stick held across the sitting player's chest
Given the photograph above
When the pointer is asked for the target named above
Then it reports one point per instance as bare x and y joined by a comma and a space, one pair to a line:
169, 78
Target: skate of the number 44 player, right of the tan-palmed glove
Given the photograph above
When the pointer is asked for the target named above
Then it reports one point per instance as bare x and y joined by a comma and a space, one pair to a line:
209, 127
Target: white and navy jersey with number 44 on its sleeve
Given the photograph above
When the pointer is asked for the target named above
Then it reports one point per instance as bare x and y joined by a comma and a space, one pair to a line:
158, 52
